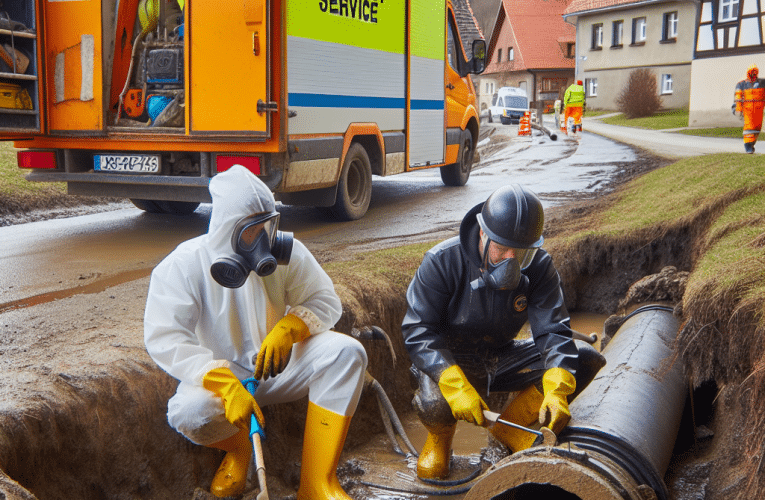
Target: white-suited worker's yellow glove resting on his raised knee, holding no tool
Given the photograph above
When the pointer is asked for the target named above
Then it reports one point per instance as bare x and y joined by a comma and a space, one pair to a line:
277, 347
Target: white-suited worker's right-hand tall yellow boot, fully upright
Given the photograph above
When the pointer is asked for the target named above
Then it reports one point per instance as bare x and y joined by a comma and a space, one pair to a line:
325, 433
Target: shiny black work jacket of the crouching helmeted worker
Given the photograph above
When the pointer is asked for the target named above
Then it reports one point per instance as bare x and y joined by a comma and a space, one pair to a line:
445, 315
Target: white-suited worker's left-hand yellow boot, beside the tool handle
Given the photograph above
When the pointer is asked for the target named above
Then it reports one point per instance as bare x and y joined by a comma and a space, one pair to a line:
231, 476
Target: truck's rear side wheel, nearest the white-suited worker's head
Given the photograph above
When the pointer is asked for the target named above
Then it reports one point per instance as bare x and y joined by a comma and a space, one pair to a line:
354, 189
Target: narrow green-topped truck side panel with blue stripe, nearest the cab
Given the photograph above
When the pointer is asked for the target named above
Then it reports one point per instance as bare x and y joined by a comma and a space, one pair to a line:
426, 127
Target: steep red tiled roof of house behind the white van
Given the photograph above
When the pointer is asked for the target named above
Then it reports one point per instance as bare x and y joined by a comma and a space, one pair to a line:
538, 27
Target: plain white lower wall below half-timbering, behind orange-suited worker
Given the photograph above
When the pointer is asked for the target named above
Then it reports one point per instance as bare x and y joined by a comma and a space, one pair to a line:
713, 83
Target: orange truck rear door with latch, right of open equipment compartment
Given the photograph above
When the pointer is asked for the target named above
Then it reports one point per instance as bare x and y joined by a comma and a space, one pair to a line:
229, 70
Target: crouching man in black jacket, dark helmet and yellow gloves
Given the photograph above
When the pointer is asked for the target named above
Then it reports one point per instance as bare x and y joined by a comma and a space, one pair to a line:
466, 304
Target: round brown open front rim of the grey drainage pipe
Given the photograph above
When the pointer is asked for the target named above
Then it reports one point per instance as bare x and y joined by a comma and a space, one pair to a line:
556, 474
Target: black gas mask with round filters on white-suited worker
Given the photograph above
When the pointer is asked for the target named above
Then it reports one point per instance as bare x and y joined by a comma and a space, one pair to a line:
259, 247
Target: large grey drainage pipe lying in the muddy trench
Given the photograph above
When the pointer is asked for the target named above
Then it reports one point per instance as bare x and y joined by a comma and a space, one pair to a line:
623, 427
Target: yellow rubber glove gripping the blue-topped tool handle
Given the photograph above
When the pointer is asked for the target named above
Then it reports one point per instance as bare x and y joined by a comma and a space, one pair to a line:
237, 401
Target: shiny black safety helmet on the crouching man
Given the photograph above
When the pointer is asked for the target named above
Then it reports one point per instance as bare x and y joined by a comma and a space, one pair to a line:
513, 216
